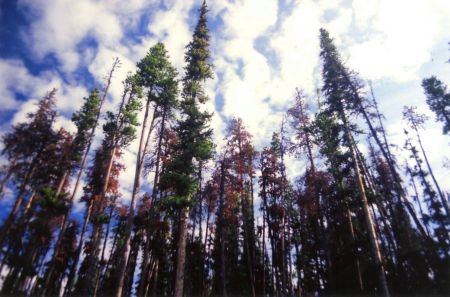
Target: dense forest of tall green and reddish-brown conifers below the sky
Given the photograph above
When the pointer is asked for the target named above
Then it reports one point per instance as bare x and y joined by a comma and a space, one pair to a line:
208, 220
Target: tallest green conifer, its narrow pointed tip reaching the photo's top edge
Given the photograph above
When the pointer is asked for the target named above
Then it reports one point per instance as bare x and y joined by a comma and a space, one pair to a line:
194, 144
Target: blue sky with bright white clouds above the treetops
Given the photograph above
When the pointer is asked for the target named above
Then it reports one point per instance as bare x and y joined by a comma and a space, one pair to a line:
262, 50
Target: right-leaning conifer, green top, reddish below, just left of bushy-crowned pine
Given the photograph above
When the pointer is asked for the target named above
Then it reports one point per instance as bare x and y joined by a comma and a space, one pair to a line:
119, 131
